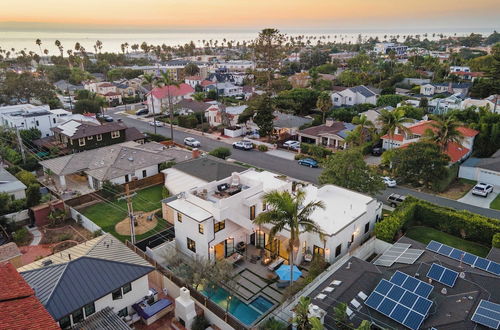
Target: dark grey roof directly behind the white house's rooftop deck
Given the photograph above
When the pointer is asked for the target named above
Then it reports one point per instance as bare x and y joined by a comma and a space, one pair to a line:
209, 168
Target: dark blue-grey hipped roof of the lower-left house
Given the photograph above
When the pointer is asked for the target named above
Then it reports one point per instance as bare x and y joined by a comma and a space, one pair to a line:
64, 288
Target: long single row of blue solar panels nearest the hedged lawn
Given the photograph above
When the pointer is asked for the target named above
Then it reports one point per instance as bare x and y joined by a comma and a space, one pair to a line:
466, 257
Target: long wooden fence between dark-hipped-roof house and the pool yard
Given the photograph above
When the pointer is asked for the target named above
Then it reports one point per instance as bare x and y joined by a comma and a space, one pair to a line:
212, 306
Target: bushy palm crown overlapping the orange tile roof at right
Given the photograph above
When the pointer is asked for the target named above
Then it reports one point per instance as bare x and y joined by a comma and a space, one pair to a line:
445, 130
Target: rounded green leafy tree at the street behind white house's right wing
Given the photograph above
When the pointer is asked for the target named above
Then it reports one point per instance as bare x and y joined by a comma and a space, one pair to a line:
348, 169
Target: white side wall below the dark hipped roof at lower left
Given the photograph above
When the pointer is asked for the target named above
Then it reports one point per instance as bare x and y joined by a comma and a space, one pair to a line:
140, 289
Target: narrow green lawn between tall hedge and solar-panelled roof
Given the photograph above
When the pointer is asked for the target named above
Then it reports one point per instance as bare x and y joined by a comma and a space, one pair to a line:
426, 234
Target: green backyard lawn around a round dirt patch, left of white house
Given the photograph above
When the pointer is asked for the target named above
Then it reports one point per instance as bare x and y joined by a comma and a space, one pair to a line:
107, 216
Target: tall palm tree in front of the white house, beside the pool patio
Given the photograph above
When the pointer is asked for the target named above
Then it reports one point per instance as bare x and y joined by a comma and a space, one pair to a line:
288, 212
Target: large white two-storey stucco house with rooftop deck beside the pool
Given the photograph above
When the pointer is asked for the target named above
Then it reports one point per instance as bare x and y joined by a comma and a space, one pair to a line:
212, 219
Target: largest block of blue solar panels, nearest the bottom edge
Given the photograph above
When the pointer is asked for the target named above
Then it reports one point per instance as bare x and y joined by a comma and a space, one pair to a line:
399, 304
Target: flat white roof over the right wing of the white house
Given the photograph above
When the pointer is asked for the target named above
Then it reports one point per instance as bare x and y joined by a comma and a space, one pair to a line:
341, 206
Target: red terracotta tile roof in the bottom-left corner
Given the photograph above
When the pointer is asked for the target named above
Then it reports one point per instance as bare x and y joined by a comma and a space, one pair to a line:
19, 308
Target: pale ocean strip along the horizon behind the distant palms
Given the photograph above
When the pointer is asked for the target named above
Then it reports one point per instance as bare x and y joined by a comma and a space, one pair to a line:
111, 40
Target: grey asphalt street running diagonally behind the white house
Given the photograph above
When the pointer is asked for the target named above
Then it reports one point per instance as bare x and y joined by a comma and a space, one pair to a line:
291, 168
